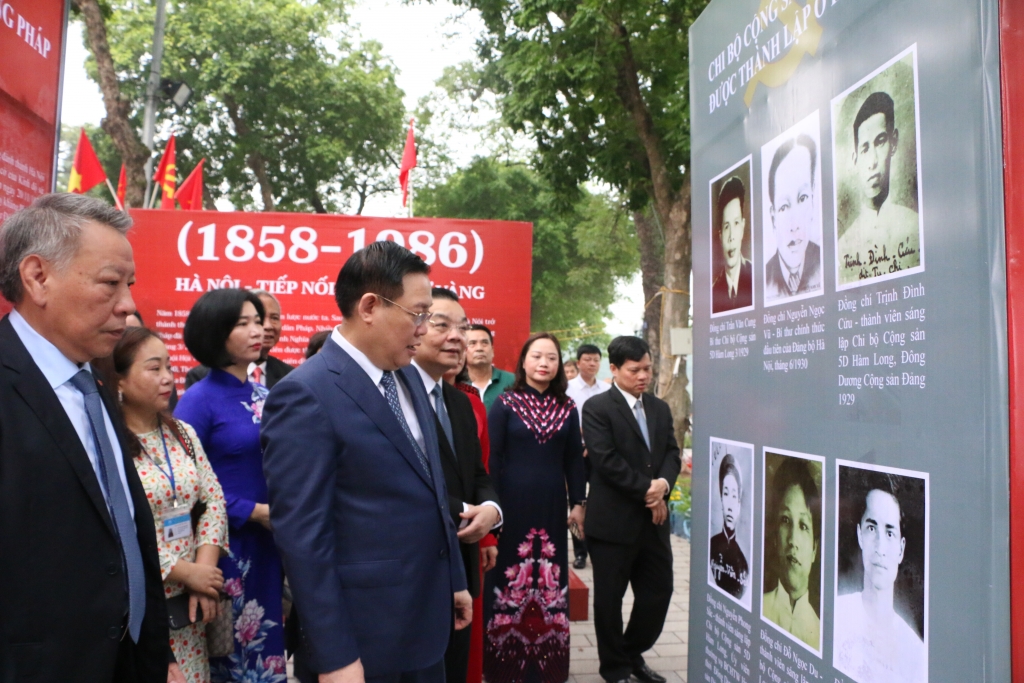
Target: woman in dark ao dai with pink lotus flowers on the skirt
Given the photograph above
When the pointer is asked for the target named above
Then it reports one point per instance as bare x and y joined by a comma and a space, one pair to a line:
536, 458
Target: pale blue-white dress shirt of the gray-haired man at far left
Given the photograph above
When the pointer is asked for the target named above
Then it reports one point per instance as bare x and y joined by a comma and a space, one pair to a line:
59, 369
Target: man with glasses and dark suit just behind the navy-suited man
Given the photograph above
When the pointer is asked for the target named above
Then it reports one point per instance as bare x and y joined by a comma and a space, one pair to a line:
473, 499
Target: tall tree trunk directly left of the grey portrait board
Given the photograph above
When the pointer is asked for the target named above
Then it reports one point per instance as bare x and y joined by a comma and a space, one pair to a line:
672, 209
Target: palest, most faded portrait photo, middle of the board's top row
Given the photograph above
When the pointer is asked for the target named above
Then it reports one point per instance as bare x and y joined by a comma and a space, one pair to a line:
791, 187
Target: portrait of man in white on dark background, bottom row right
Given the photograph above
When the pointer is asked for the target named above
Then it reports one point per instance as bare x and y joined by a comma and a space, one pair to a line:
881, 614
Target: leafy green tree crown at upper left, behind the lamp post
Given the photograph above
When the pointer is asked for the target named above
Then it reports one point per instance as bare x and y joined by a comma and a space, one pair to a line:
287, 108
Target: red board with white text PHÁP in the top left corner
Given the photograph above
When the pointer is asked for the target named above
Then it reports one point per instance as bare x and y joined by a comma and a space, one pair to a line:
32, 46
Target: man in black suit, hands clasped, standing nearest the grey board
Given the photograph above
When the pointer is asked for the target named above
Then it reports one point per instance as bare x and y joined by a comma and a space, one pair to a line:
636, 461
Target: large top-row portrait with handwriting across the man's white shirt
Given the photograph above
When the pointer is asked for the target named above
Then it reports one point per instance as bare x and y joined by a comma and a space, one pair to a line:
877, 170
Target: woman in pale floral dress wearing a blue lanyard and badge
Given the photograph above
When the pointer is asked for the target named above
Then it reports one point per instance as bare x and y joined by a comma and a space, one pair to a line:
178, 478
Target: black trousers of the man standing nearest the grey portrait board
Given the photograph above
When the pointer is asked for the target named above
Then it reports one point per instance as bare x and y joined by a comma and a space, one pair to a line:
647, 566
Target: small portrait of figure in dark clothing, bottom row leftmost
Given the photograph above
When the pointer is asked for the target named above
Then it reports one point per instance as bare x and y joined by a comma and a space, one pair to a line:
731, 522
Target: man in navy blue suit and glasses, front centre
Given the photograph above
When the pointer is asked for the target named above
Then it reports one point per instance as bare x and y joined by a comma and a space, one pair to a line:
359, 502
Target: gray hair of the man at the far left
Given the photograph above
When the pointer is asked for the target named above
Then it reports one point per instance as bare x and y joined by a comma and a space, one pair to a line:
52, 230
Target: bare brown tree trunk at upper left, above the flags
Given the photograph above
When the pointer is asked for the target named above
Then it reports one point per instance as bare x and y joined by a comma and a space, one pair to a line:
116, 123
